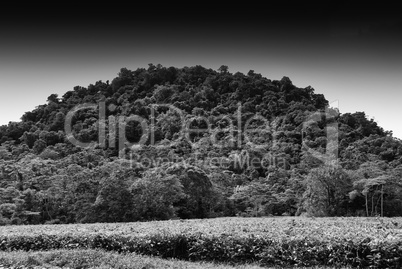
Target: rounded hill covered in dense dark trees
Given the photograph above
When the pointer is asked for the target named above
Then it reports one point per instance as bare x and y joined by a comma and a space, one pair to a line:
192, 142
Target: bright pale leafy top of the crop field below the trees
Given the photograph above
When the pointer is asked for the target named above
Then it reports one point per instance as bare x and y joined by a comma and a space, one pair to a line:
293, 227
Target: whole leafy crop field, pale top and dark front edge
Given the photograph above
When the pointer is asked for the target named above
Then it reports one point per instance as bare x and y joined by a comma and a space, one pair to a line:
284, 241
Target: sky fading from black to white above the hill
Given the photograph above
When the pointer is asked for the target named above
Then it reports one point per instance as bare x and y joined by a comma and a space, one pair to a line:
351, 55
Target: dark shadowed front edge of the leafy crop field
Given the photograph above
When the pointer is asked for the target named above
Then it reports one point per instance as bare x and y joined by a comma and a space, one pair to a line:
228, 249
